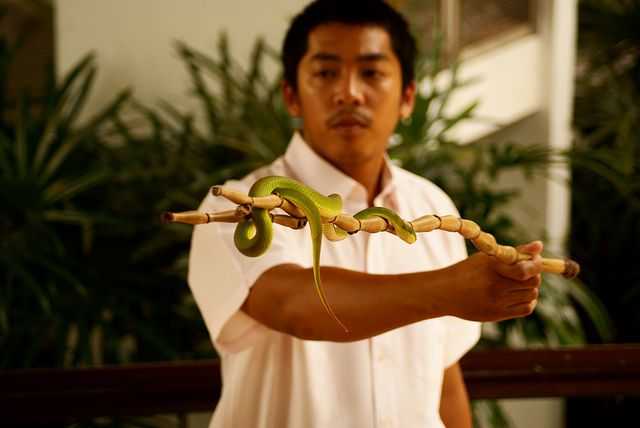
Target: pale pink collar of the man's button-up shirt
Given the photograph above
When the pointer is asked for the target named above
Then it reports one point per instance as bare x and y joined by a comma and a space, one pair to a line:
308, 167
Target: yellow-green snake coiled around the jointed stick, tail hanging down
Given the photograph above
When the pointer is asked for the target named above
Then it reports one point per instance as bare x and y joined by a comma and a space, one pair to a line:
254, 234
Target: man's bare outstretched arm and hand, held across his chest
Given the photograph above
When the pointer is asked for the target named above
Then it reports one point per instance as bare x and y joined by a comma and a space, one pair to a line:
479, 288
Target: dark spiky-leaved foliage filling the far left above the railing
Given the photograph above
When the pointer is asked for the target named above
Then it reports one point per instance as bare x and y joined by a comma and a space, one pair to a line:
87, 276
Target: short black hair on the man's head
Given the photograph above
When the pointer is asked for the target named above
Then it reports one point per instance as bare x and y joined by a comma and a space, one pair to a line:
356, 12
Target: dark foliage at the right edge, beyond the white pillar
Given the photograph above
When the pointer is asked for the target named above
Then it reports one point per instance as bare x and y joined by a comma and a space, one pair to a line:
605, 168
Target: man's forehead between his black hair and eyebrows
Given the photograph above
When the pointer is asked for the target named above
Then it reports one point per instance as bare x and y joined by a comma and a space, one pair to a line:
348, 41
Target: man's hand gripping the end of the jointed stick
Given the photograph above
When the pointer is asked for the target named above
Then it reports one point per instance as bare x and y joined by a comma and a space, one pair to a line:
484, 289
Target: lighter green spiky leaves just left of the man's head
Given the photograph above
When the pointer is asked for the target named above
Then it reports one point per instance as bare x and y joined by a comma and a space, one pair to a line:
243, 114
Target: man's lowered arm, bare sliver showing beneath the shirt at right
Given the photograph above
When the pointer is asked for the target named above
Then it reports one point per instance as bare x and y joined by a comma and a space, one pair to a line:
455, 411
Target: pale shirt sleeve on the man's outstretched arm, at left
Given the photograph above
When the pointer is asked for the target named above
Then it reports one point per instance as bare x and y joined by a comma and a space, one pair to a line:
220, 278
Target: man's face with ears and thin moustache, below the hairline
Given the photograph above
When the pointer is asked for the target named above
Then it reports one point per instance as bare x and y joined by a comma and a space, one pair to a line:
349, 93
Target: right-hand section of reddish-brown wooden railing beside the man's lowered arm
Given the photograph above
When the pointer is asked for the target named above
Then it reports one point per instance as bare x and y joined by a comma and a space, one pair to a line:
562, 372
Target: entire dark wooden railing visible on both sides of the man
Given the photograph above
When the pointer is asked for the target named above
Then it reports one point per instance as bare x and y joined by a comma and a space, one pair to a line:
56, 395
